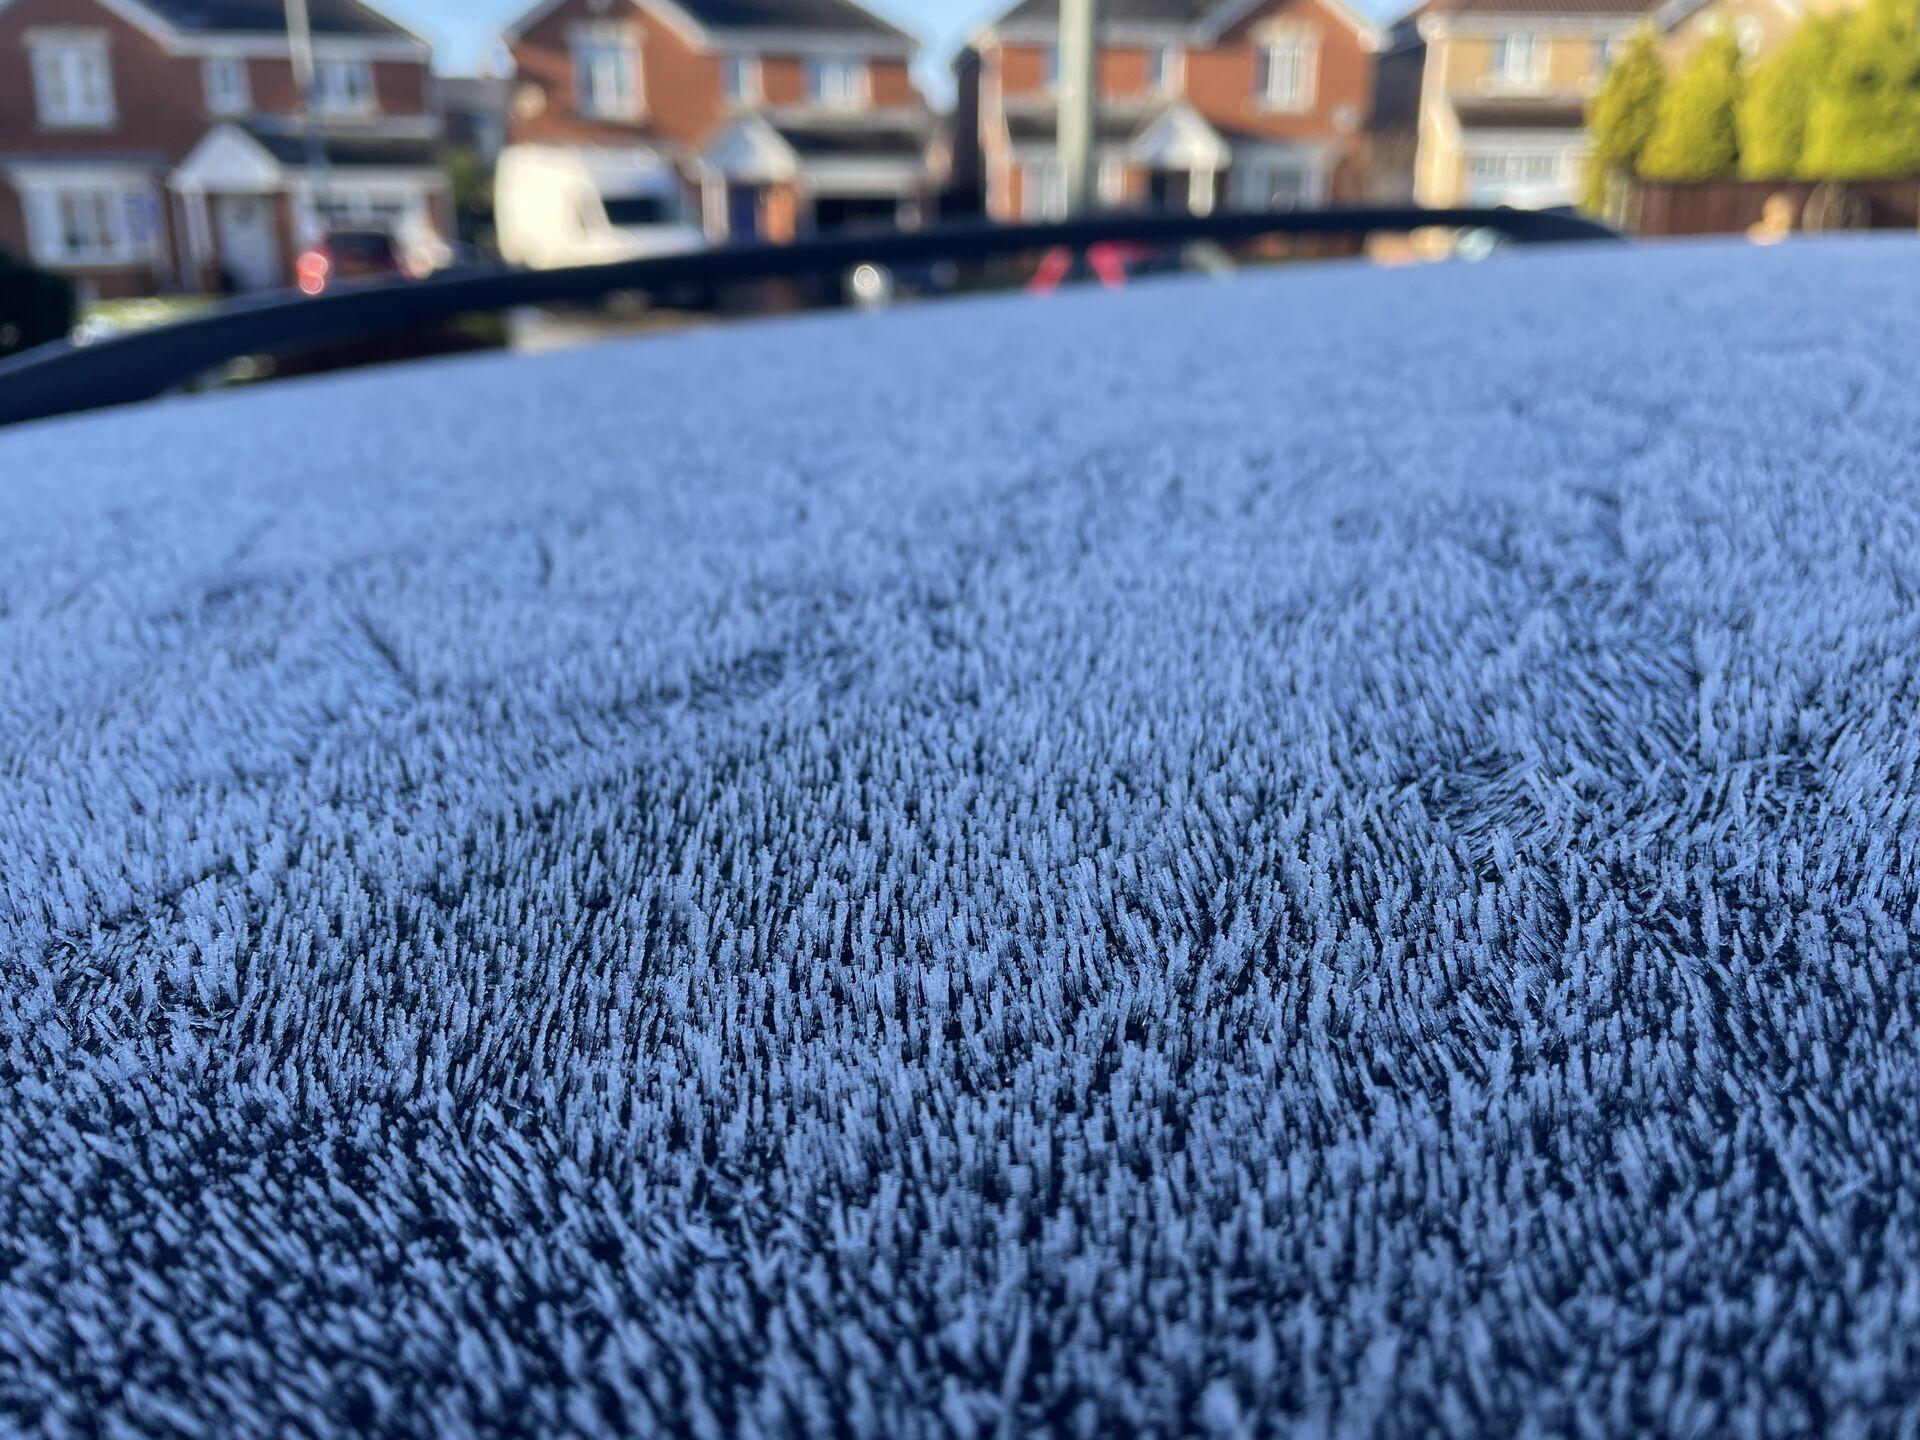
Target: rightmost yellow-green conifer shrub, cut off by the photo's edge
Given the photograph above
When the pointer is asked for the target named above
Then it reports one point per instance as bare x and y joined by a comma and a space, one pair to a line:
1865, 120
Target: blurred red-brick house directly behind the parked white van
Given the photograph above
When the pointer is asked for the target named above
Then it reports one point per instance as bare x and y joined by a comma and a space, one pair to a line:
780, 116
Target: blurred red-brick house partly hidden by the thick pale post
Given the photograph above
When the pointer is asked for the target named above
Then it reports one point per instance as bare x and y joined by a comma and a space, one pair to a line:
1203, 103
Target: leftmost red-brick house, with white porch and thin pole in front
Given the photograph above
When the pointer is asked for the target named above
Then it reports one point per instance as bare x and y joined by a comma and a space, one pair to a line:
158, 145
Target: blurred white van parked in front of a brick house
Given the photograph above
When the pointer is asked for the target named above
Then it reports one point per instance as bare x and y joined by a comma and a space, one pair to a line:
588, 206
